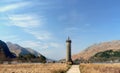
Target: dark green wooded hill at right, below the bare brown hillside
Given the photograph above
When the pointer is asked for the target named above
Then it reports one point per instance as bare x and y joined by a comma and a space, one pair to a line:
106, 56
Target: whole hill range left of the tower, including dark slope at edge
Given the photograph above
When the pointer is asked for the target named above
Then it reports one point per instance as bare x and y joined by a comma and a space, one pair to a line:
9, 50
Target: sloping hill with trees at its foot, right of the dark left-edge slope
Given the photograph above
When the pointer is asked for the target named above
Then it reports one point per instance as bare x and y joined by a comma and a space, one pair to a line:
26, 54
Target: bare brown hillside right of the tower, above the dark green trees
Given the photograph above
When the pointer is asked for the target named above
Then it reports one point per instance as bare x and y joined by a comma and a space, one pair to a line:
92, 50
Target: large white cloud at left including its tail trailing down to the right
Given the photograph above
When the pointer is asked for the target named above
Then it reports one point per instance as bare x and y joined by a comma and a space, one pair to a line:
29, 23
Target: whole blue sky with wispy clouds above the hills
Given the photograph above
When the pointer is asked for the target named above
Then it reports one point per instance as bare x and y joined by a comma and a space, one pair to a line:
44, 25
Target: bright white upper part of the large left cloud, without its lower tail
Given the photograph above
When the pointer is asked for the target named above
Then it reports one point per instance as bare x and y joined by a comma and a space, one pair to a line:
25, 21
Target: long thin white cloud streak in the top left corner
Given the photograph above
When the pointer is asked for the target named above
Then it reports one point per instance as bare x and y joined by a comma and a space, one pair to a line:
13, 6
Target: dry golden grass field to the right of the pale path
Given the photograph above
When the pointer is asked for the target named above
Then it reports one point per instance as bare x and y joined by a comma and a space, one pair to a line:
100, 68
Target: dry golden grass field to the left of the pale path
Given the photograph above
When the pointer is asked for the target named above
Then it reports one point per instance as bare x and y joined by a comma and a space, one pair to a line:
33, 68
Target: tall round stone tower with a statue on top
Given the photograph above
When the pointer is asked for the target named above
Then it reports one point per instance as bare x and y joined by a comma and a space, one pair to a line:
68, 53
